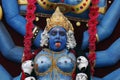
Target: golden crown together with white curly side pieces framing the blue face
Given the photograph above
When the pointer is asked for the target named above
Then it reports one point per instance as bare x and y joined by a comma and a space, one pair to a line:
58, 19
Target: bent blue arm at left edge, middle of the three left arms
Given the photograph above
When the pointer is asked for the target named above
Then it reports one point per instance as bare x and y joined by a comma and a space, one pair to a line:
7, 46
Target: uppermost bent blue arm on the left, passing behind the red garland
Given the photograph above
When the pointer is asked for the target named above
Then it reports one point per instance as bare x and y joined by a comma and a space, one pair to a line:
15, 20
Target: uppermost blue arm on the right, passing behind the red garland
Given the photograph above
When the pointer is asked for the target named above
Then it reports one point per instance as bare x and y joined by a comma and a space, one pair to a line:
106, 25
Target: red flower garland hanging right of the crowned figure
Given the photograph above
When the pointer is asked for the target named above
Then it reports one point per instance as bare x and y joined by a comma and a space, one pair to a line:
92, 23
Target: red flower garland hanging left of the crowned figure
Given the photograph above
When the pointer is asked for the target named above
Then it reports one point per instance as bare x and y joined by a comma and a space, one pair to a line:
30, 17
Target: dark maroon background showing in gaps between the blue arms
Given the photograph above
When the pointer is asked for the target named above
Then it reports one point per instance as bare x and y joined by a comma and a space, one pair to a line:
14, 68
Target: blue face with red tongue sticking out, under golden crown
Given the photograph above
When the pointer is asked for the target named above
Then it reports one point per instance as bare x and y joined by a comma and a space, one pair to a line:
57, 38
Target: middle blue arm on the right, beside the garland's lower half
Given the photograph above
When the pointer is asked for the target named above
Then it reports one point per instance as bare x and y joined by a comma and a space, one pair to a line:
109, 56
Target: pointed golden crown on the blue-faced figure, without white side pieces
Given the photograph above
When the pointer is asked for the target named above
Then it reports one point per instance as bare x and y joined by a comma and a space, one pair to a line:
58, 19
